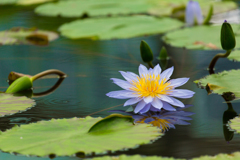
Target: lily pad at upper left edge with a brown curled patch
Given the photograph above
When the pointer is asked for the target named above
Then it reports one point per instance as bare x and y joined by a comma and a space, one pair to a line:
19, 35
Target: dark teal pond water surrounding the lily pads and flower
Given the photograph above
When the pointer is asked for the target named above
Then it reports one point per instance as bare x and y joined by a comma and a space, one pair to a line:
90, 65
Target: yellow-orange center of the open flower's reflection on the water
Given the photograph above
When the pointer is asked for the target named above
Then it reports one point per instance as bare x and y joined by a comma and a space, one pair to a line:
161, 123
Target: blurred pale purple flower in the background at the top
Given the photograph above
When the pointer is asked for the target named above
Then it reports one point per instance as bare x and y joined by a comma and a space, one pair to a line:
193, 13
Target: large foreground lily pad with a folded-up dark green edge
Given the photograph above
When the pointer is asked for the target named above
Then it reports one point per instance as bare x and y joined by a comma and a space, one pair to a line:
69, 136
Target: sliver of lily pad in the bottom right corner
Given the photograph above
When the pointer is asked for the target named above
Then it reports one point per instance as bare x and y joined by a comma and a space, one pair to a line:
232, 156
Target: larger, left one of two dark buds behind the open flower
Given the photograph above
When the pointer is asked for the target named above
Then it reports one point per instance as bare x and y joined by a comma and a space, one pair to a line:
146, 52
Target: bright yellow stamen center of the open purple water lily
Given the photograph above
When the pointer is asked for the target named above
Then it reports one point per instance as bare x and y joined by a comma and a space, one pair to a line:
150, 85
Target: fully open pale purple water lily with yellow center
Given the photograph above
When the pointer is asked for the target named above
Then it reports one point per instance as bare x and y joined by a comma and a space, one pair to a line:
152, 89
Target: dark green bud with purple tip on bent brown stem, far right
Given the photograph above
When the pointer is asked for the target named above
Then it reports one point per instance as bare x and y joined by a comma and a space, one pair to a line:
228, 41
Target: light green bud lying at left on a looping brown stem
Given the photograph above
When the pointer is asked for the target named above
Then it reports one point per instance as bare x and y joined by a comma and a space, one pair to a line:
21, 84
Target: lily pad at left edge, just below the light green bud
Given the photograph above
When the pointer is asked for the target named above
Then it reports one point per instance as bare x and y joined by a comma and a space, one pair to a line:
10, 104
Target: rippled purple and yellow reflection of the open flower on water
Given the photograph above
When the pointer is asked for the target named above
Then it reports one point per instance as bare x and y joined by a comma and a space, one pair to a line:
163, 119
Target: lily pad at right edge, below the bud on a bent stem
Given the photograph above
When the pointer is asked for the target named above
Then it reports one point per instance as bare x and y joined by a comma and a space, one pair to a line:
221, 83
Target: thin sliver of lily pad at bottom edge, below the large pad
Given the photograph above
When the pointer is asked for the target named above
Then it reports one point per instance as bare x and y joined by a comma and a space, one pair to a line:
134, 157
